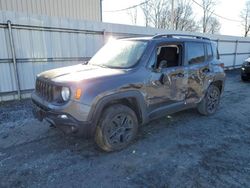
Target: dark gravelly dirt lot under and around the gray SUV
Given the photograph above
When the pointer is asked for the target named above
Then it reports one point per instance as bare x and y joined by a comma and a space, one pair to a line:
181, 150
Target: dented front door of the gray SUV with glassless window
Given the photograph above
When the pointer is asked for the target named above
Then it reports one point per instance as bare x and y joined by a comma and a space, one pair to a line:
167, 85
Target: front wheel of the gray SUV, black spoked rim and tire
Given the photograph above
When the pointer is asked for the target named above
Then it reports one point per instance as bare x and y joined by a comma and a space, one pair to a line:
117, 128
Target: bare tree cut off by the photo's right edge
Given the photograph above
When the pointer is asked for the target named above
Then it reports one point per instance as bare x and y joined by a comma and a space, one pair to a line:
245, 16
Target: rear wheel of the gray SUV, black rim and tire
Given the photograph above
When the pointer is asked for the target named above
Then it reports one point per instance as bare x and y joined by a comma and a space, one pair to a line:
210, 102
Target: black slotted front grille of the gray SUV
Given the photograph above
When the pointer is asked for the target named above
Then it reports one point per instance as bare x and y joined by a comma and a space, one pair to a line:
45, 90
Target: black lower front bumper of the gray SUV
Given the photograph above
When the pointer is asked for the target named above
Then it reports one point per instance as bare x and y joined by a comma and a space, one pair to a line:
62, 120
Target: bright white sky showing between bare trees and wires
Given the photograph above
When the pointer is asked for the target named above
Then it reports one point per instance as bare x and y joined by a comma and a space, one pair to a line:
227, 8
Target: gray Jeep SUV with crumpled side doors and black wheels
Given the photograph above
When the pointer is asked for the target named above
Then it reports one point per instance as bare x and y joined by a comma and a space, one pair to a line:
129, 82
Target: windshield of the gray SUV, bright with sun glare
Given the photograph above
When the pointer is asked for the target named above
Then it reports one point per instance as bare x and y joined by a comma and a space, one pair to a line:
119, 54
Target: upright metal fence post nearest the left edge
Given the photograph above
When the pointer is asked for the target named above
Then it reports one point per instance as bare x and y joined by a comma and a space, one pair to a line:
14, 59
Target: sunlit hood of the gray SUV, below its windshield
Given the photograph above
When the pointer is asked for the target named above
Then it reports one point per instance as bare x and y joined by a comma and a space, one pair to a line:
78, 73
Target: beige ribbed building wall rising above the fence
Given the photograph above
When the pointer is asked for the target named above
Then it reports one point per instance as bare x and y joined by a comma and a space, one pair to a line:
74, 9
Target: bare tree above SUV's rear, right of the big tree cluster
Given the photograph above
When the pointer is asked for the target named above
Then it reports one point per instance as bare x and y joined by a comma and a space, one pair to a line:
209, 23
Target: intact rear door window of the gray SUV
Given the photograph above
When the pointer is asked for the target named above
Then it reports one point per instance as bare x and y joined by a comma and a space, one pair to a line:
196, 53
